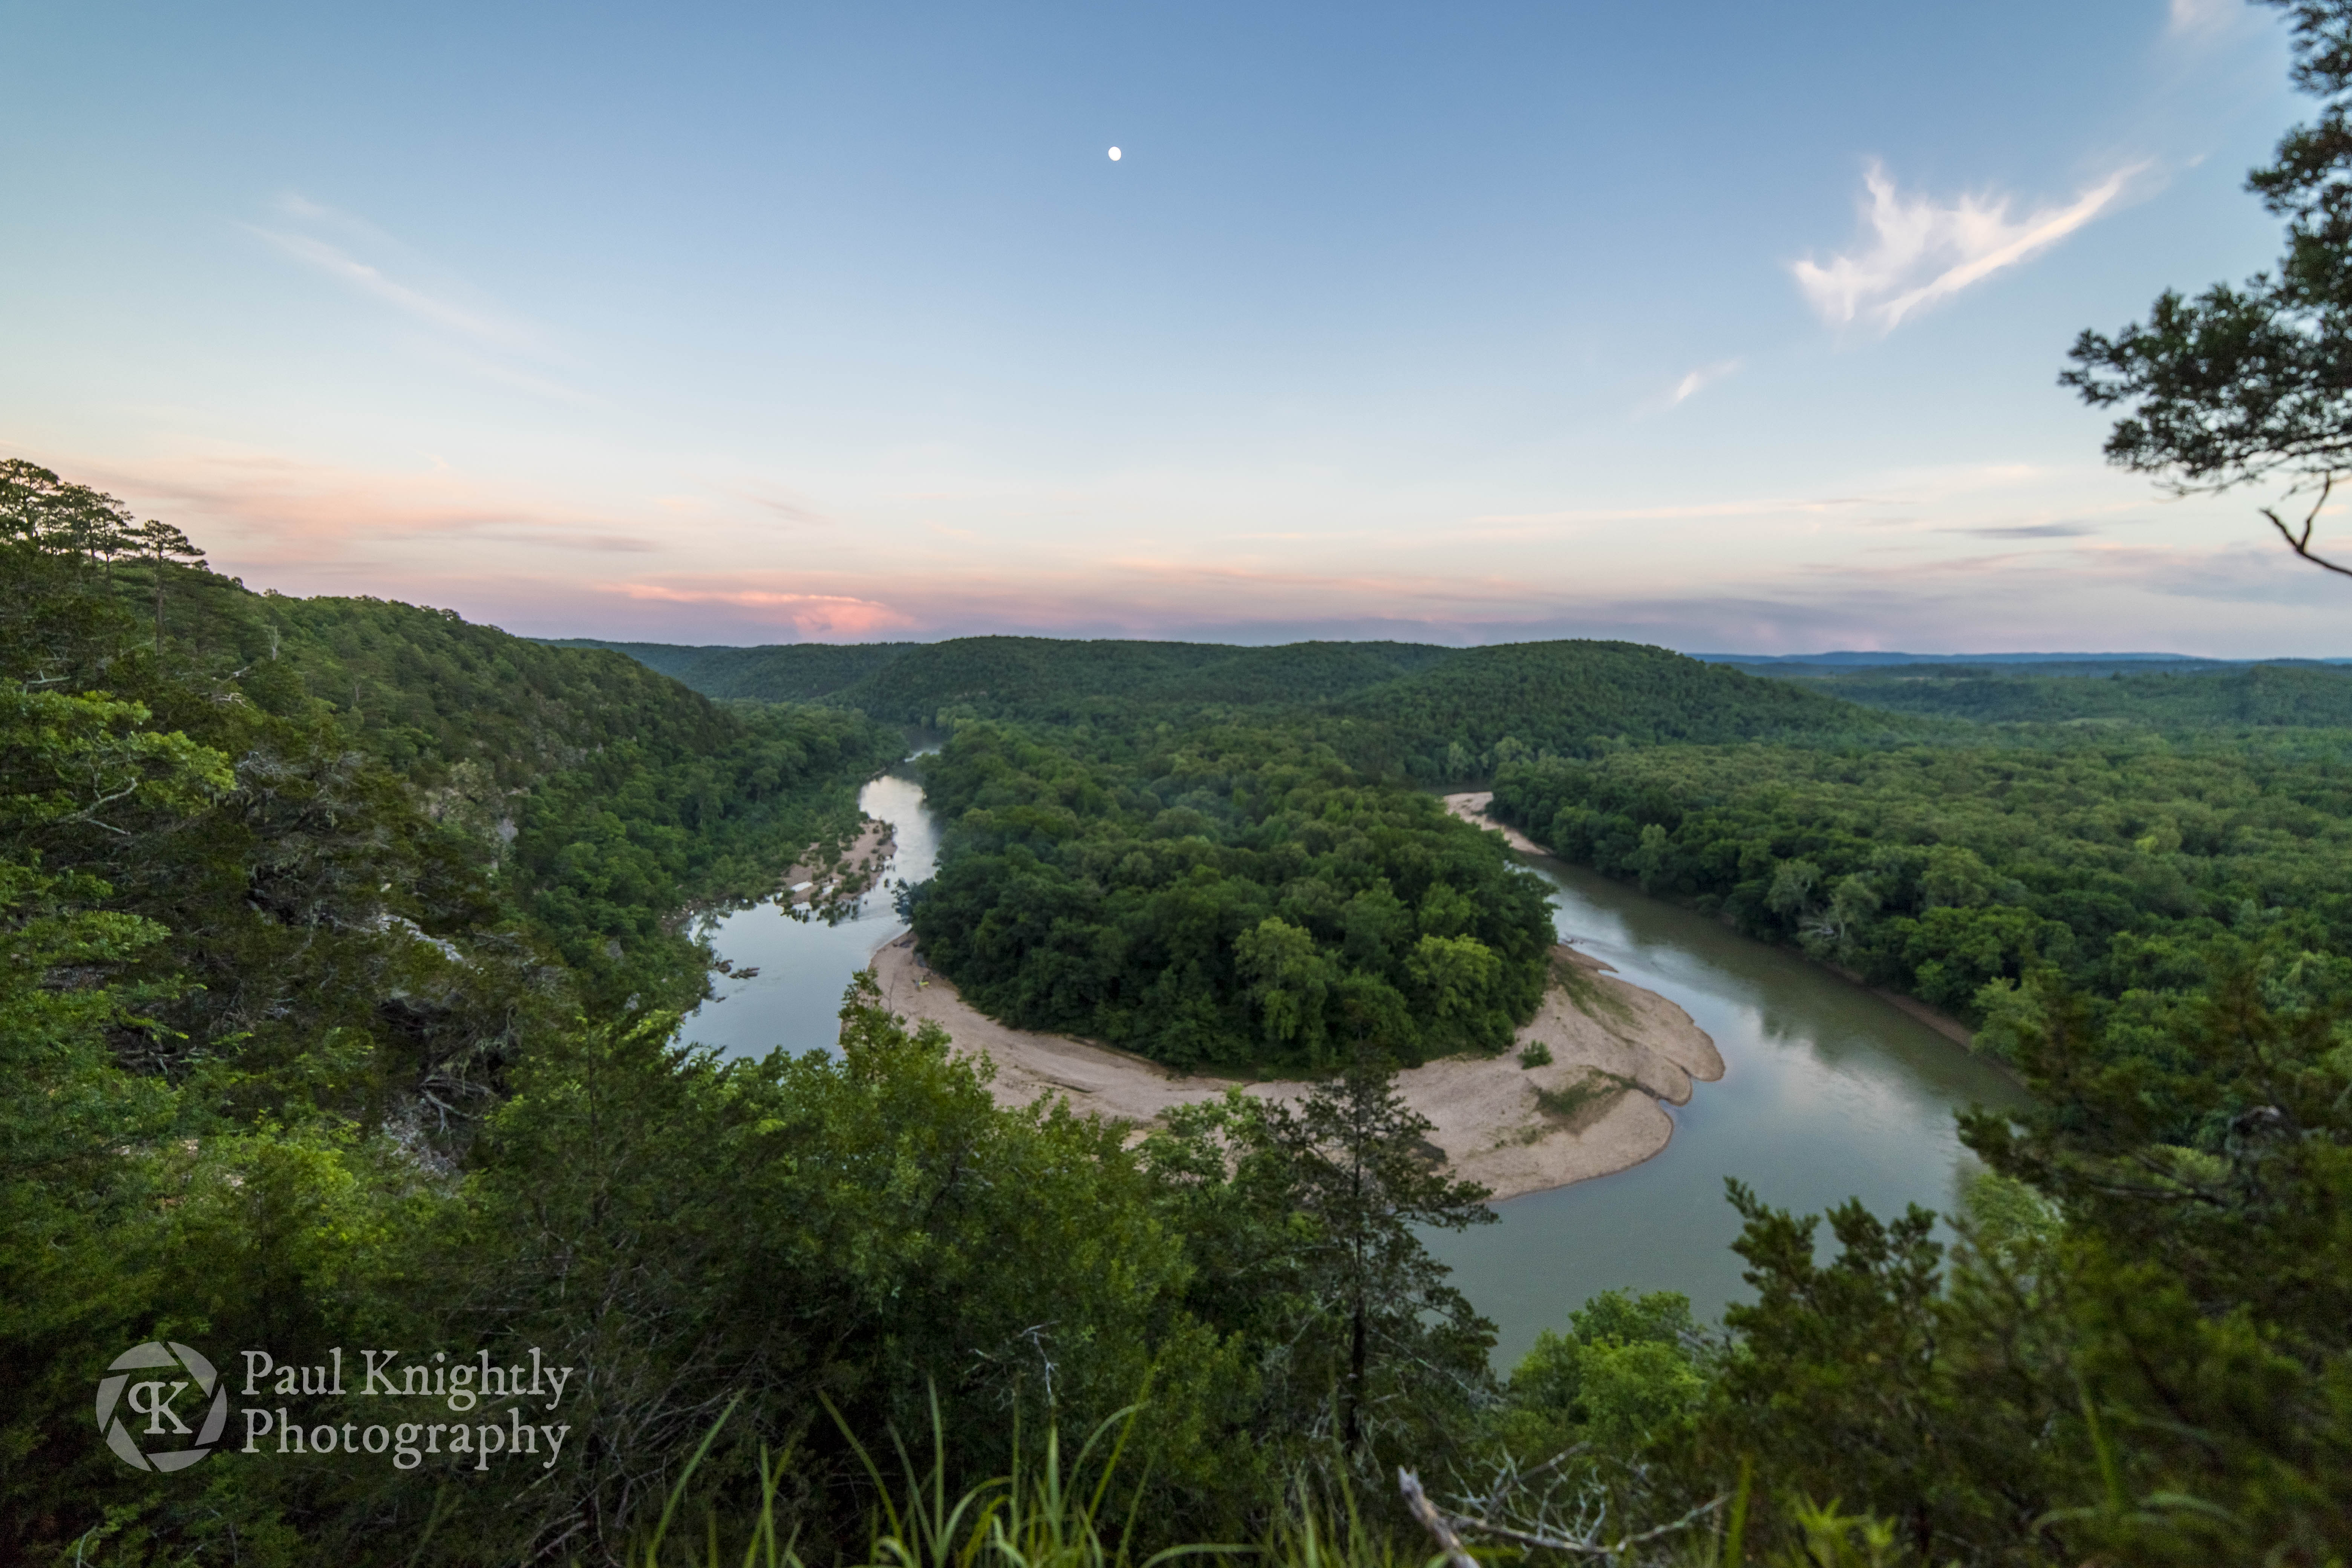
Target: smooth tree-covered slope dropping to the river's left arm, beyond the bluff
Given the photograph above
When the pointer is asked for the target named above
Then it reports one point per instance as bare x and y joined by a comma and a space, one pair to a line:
601, 796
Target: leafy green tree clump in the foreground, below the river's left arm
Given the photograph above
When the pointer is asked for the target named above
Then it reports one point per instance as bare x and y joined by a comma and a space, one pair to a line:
1001, 1264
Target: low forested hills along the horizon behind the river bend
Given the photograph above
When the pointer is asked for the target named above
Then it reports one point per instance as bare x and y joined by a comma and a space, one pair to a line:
1441, 713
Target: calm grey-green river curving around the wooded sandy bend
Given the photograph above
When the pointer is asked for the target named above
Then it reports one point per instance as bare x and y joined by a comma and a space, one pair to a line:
1826, 1094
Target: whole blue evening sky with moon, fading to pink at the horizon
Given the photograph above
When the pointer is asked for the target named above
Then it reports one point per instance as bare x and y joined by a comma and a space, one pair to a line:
1725, 326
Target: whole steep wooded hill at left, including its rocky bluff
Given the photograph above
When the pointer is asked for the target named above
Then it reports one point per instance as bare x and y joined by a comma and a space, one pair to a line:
403, 765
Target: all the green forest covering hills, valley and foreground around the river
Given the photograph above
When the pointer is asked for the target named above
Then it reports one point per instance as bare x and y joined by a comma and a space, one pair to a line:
347, 946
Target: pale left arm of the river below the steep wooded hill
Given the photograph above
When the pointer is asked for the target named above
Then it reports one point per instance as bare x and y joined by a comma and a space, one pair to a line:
796, 998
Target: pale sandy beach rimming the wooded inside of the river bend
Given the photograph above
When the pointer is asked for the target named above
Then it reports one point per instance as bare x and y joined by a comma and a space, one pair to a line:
1617, 1052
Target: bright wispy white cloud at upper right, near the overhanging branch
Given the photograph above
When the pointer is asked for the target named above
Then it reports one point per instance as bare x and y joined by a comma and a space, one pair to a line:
1923, 250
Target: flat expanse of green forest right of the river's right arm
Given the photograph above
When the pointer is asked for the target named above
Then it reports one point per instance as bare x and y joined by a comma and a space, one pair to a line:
1953, 873
